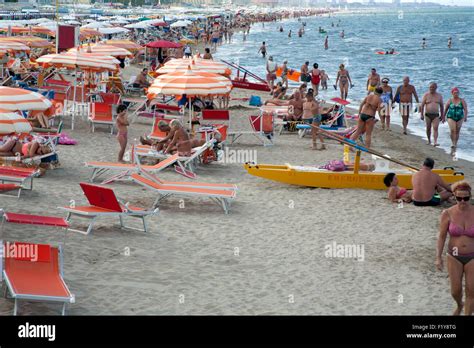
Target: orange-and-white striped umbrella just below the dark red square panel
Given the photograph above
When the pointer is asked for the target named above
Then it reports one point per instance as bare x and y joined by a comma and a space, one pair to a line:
79, 60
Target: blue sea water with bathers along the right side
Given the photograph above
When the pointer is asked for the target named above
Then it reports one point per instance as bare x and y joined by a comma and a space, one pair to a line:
366, 33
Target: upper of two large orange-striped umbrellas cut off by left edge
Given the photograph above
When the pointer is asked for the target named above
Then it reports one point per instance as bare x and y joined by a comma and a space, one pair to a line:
14, 99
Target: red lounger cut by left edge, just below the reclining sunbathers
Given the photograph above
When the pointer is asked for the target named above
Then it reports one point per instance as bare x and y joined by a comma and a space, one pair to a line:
16, 178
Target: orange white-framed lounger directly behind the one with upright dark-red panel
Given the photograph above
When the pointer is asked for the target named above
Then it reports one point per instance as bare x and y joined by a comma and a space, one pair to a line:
125, 169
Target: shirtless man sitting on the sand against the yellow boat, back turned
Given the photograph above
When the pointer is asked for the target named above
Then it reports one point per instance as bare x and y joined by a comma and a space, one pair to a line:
428, 187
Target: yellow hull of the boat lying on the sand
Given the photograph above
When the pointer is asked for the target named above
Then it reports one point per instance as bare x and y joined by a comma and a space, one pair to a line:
347, 179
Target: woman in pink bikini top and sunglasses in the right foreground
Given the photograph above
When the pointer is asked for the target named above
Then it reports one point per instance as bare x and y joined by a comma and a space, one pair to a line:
458, 222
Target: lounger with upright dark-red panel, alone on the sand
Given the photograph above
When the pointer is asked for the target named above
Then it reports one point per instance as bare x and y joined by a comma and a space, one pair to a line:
104, 203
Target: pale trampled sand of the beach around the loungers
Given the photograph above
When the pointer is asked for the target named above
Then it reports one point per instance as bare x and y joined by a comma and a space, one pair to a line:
266, 257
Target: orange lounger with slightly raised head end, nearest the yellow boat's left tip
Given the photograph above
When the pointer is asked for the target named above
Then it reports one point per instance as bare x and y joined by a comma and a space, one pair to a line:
222, 197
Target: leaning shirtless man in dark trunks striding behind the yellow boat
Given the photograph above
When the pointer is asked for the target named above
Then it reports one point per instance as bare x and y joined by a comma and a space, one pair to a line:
367, 110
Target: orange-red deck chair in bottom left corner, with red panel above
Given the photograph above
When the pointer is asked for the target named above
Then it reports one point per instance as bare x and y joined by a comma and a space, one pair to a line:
37, 277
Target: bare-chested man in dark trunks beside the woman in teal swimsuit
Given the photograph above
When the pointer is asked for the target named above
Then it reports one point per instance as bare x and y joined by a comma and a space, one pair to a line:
432, 108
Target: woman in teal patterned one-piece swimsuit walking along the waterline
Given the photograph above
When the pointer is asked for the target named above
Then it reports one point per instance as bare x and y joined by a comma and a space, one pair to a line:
456, 113
